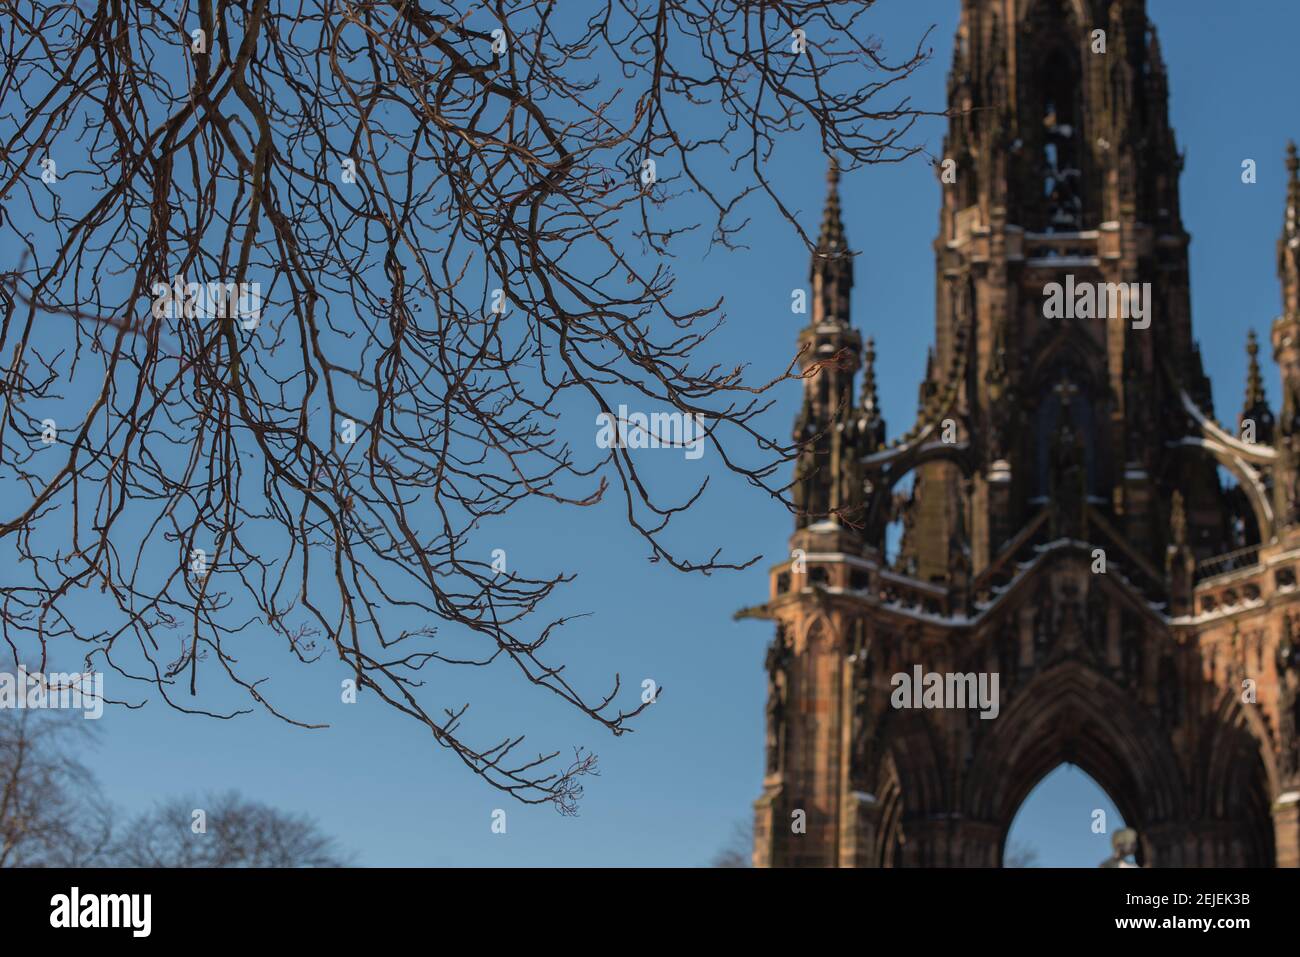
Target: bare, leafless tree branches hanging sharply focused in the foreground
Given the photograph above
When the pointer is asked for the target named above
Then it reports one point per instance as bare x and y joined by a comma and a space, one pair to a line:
304, 297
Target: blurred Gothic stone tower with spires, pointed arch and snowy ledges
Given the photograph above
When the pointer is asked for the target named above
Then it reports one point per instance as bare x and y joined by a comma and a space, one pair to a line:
1064, 535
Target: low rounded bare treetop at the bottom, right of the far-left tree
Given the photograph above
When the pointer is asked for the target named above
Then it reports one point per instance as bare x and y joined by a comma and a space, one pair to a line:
237, 833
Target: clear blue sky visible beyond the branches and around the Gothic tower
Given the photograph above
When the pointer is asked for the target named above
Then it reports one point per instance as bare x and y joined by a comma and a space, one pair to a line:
671, 793
